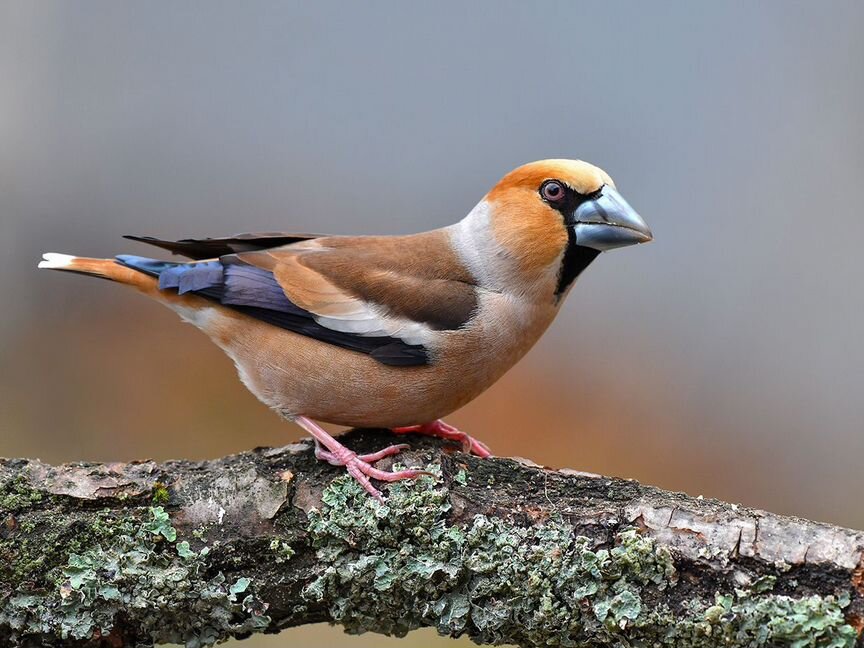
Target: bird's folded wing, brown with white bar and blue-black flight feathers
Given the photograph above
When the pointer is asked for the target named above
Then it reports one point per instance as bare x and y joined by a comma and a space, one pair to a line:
374, 295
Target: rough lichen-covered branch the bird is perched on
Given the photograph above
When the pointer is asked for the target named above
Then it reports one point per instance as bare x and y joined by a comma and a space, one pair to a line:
504, 551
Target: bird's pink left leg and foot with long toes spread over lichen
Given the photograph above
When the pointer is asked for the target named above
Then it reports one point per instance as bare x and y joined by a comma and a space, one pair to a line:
359, 467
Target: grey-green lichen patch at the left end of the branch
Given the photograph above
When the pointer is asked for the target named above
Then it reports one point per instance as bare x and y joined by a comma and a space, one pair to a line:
140, 571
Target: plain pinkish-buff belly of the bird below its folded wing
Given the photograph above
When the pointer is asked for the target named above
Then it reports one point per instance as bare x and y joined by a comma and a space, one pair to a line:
297, 375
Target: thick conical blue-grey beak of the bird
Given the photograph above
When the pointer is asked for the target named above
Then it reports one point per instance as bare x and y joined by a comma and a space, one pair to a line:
607, 222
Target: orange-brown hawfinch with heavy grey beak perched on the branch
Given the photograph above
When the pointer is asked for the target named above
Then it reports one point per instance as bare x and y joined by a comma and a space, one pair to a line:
393, 331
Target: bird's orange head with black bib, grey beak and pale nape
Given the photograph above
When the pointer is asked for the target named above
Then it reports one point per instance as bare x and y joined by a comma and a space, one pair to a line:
551, 218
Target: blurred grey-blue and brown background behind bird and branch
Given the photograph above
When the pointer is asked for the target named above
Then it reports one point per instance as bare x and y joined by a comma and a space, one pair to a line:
726, 358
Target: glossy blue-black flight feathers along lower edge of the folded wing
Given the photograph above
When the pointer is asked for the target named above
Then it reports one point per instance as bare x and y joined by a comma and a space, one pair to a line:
255, 292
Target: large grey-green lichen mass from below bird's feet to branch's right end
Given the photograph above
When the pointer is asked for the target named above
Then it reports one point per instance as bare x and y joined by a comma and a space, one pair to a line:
397, 566
